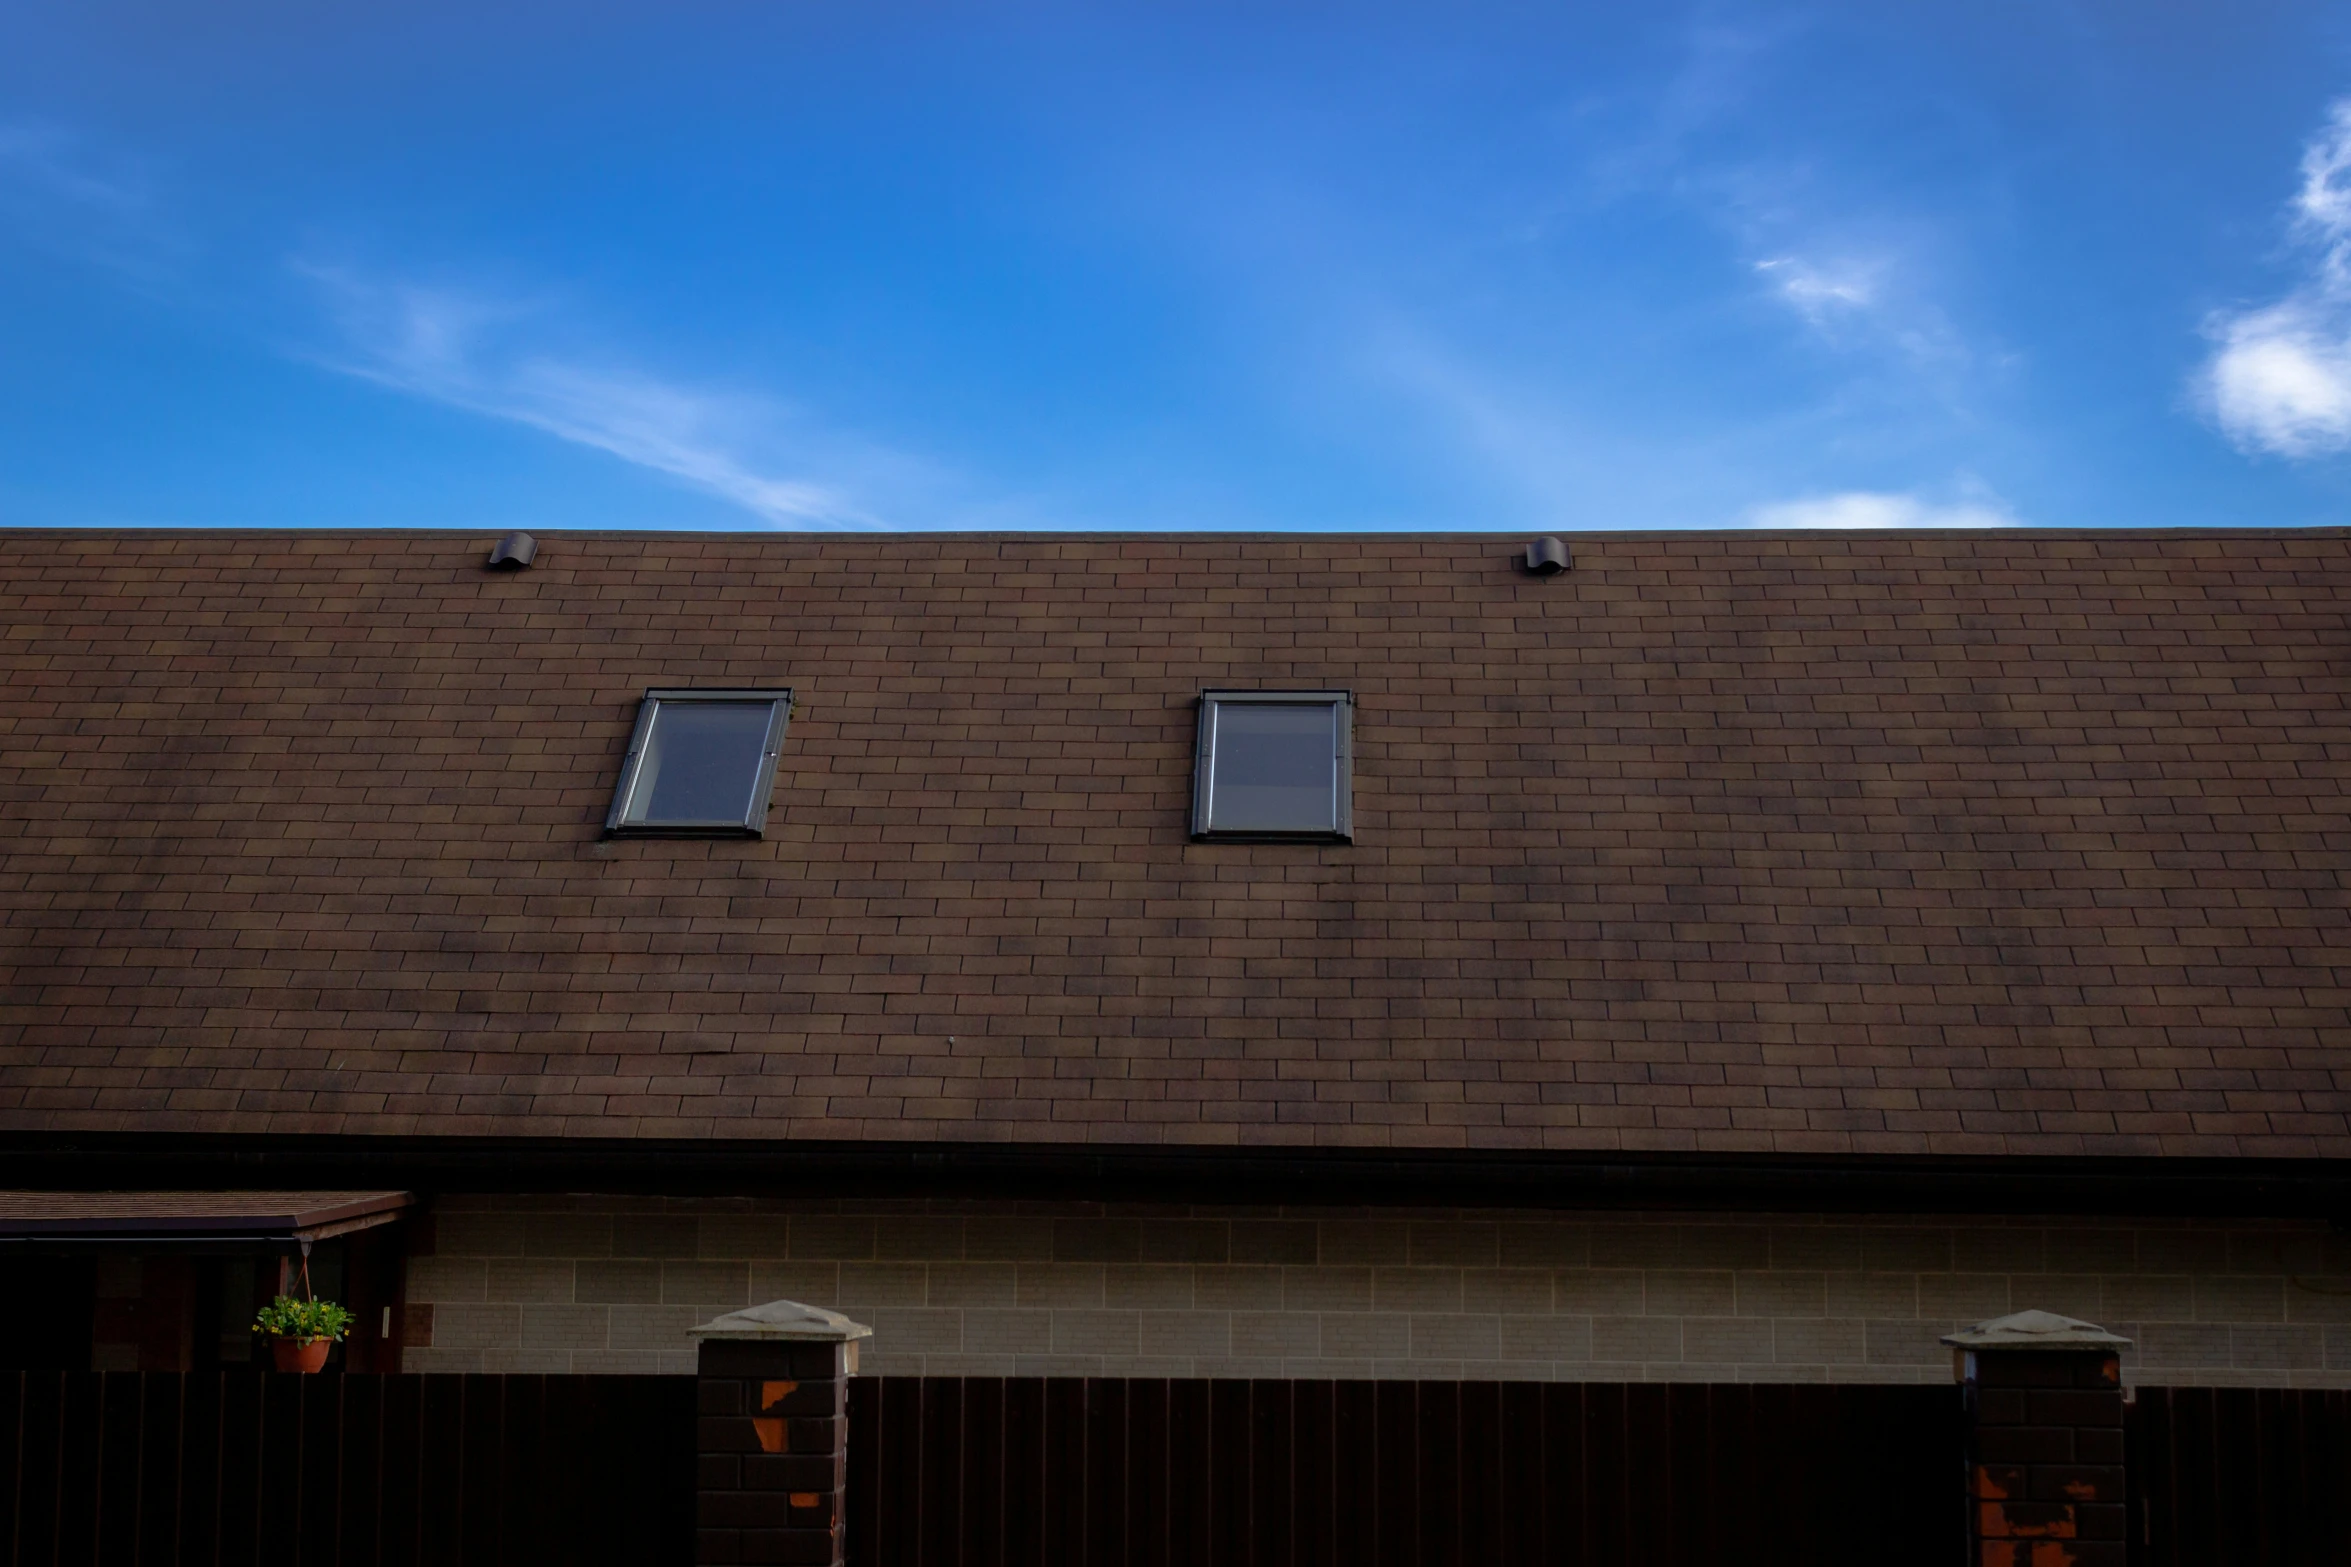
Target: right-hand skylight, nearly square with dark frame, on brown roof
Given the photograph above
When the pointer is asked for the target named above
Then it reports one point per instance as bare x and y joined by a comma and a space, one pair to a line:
1273, 765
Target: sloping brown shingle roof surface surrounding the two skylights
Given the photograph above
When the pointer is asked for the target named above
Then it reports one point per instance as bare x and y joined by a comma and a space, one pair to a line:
1997, 842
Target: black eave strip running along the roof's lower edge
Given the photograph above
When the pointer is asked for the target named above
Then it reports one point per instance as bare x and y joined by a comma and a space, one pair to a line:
1252, 1176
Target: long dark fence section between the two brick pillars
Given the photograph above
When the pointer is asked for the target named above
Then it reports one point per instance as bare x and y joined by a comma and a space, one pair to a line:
1398, 1474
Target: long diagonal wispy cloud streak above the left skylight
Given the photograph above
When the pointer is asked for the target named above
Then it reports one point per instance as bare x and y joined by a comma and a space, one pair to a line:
460, 349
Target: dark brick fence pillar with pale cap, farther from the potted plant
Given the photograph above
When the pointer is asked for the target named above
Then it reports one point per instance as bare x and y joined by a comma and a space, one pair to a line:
2044, 1441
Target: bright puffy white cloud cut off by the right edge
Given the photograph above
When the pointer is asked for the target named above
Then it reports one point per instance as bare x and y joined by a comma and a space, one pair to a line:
2279, 377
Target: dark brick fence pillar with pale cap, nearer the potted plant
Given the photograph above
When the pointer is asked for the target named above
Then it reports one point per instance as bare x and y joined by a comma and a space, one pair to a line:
772, 1439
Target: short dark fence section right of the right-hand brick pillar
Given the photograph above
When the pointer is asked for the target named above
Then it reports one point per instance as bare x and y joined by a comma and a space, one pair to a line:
2239, 1477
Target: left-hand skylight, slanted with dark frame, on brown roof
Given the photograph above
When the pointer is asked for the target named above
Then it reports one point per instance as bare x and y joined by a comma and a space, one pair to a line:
702, 765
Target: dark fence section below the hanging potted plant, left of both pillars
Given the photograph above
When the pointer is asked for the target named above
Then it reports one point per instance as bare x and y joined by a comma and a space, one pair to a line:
243, 1470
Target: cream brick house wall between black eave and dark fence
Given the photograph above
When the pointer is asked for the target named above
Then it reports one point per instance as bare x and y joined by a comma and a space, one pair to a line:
615, 1284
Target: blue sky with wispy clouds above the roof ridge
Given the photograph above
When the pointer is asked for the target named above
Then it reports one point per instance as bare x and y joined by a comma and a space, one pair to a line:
1311, 267
